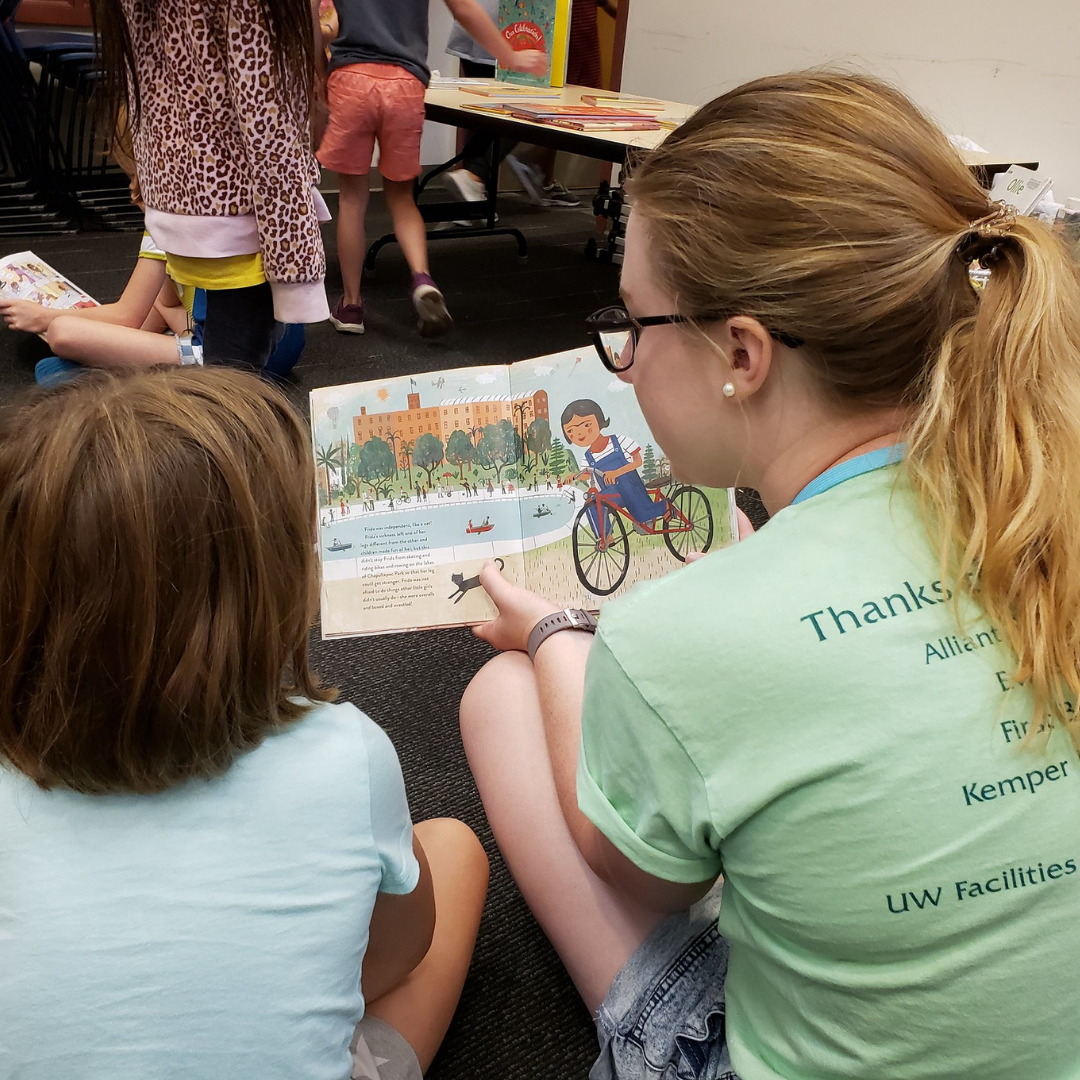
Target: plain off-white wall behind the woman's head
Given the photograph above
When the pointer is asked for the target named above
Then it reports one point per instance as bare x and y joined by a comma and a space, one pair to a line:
1005, 75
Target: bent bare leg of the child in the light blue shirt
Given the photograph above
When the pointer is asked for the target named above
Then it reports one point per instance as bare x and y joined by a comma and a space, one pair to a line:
421, 1009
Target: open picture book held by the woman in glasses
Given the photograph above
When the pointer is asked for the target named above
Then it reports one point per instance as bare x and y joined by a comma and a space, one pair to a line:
546, 466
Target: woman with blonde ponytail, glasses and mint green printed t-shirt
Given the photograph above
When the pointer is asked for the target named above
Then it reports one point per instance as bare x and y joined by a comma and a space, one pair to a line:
863, 715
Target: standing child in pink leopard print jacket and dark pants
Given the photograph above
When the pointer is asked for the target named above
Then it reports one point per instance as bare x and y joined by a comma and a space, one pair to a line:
220, 96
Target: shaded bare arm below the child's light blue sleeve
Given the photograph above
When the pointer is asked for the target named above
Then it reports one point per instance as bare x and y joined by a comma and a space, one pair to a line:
400, 935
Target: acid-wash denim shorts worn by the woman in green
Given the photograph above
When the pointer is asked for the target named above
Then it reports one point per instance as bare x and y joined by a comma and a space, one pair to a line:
664, 1017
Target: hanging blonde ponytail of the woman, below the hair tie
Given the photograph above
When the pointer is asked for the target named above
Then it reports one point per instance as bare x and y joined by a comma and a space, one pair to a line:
995, 456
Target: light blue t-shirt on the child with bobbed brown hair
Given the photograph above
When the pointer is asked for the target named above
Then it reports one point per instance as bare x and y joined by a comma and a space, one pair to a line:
213, 931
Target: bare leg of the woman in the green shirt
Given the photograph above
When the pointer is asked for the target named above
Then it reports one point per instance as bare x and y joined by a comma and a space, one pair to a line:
595, 929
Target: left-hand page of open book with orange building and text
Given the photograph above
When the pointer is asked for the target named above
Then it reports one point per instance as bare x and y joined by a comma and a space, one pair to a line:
417, 491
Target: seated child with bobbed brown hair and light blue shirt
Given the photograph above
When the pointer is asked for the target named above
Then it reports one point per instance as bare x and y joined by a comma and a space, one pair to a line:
207, 869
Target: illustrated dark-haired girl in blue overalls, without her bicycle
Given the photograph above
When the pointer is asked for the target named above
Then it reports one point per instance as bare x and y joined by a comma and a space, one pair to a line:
615, 462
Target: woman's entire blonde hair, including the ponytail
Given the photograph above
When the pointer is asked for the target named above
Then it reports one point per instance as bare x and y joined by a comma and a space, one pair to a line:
831, 209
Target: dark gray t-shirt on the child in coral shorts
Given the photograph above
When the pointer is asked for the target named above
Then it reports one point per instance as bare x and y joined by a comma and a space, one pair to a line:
383, 32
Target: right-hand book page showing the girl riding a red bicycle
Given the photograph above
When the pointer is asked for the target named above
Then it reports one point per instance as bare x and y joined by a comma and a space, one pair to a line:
586, 538
